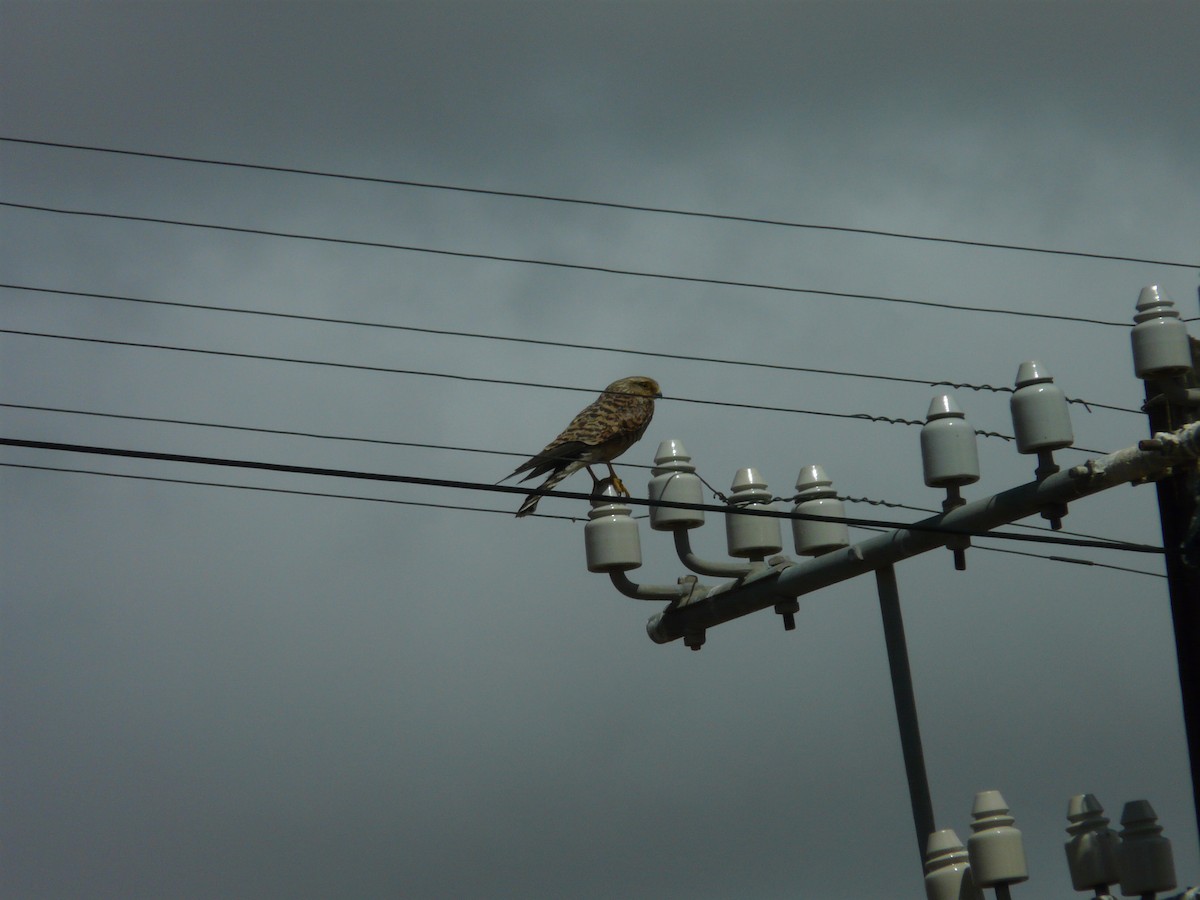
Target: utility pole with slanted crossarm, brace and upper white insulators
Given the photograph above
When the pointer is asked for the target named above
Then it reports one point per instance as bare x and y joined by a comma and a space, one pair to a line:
1163, 358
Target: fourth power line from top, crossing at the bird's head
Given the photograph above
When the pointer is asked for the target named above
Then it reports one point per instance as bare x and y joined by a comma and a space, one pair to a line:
482, 380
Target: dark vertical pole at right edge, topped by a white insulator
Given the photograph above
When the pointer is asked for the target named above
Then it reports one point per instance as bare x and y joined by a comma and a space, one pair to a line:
1169, 363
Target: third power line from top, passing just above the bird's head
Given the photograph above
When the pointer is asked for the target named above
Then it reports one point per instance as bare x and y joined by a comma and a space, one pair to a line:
541, 343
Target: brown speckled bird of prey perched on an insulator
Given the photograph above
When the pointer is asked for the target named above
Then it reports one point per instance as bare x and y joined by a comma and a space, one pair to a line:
602, 433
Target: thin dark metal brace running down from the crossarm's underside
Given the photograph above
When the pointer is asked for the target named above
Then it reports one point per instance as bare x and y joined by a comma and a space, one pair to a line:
907, 707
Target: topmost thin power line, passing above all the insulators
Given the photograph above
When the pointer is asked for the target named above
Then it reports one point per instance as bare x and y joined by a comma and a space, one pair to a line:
605, 205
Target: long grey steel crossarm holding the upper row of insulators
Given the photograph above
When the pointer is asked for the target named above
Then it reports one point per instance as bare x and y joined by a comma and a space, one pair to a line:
764, 590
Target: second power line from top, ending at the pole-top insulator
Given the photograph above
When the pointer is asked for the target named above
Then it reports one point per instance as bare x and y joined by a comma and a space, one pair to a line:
555, 265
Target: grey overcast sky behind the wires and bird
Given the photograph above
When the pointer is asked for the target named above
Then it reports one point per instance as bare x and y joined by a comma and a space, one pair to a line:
212, 692
